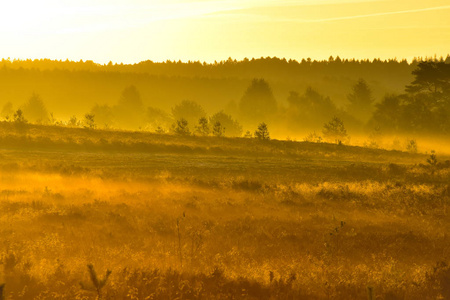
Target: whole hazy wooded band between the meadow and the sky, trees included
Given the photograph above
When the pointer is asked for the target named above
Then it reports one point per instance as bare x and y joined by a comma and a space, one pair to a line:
293, 97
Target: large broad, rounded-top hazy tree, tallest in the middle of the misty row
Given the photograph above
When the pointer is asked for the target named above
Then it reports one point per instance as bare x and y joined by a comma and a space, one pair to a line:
258, 101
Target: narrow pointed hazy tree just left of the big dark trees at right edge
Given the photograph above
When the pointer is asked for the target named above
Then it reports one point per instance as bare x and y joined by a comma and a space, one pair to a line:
361, 100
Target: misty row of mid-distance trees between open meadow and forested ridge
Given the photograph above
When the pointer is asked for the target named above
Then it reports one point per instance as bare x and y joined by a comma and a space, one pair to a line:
424, 107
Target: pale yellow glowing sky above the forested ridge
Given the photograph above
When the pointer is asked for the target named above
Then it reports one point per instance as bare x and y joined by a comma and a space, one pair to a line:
130, 31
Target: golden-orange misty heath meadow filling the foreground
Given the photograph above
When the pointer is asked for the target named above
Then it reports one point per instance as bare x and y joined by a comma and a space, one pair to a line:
175, 217
